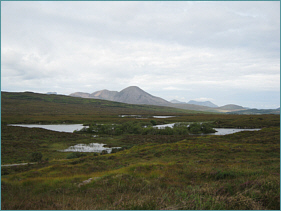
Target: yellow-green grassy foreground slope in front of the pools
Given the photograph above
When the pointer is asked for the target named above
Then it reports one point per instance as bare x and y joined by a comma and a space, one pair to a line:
237, 171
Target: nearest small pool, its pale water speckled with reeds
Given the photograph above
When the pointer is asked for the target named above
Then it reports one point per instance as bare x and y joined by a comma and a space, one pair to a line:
92, 147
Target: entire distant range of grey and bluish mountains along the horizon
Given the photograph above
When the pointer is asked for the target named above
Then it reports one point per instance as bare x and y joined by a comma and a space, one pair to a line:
135, 95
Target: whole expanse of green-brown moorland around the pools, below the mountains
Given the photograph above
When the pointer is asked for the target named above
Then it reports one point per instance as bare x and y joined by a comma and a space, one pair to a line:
176, 169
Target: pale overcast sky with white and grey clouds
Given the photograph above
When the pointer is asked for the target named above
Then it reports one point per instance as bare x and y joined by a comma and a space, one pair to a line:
221, 51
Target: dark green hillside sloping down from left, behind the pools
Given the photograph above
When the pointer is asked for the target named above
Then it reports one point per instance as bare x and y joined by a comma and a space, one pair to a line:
28, 107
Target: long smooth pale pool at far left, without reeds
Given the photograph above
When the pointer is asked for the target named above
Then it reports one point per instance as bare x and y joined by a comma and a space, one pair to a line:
68, 128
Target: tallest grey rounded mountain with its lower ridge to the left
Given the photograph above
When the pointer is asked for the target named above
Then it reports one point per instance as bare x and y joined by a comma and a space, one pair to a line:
131, 95
